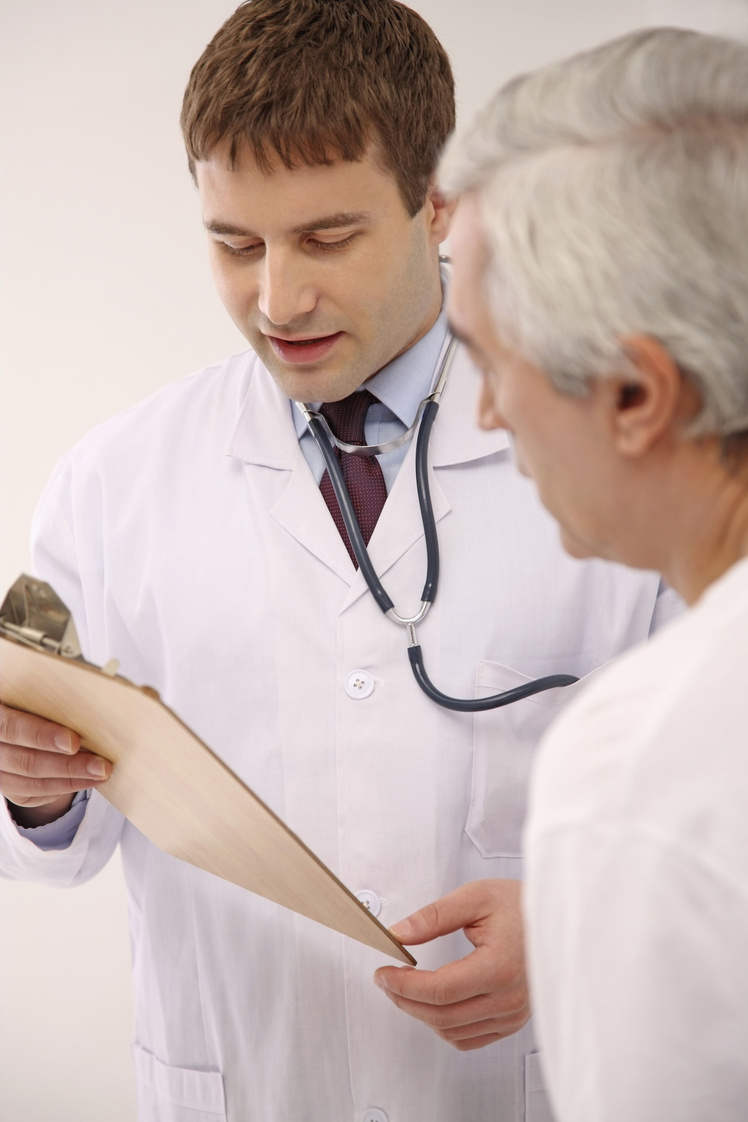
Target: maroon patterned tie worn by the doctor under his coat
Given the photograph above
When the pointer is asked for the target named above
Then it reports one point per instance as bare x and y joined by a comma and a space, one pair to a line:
363, 474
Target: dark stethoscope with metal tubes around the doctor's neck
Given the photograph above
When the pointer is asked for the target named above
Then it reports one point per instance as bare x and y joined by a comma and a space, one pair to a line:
427, 415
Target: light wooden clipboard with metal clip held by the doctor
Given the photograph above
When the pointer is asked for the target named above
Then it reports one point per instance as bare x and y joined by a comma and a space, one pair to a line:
165, 780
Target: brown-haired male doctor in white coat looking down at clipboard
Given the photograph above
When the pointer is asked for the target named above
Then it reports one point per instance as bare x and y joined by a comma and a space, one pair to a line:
197, 539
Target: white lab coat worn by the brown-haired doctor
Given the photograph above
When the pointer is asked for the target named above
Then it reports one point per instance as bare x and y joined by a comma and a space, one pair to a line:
191, 542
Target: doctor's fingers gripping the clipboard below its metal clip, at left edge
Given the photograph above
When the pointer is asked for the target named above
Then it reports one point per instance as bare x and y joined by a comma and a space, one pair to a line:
41, 762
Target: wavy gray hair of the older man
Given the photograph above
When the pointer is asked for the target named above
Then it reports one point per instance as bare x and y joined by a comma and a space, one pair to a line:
614, 192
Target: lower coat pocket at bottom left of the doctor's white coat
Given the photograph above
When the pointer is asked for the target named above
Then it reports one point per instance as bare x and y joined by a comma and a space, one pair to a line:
177, 1095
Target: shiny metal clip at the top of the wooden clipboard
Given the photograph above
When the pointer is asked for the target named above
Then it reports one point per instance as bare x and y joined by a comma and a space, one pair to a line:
33, 614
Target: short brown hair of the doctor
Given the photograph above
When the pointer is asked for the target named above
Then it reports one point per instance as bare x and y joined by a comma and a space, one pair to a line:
318, 80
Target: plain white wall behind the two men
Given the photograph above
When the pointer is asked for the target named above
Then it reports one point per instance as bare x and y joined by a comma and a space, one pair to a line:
106, 297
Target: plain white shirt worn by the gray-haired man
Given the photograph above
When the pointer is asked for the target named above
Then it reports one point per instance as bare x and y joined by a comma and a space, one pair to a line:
638, 879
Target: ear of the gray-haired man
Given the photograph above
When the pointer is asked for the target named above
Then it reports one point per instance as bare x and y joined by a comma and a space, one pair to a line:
653, 402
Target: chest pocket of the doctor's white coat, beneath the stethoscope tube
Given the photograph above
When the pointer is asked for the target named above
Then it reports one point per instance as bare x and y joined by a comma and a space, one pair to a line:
504, 746
